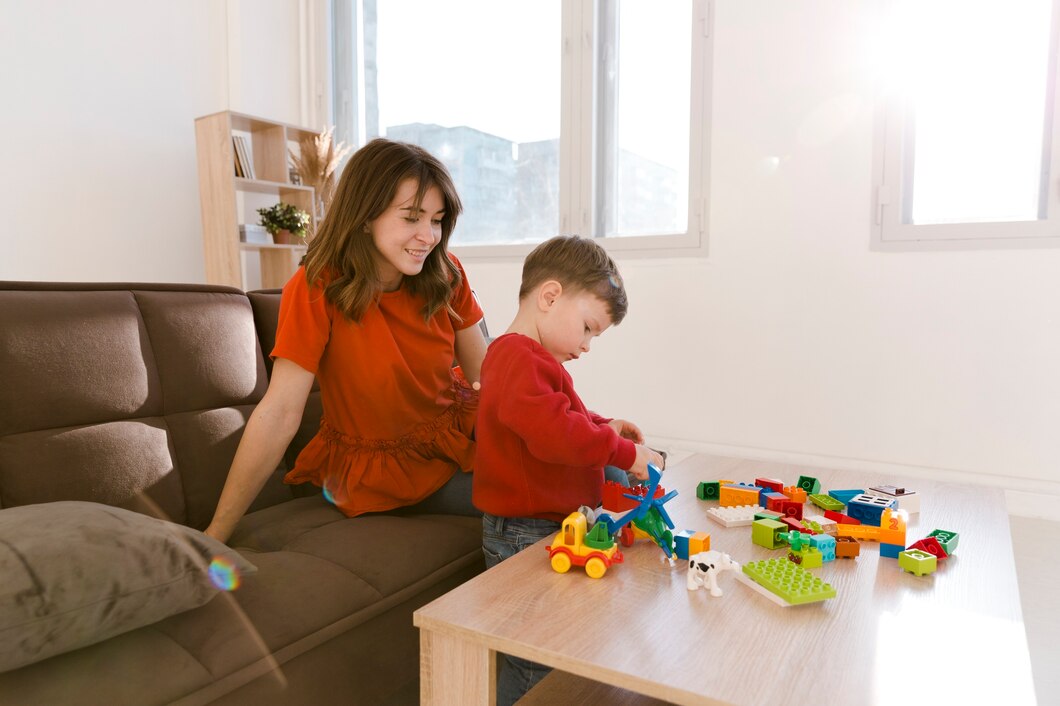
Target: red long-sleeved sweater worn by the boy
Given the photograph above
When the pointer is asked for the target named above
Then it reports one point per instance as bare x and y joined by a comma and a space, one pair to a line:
540, 452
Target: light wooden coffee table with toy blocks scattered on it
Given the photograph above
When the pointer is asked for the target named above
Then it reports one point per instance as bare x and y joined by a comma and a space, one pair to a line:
955, 637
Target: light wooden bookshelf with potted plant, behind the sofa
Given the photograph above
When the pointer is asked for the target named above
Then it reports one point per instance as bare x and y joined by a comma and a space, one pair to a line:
222, 192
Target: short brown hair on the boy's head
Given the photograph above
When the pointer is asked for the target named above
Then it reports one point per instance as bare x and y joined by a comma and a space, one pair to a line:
579, 264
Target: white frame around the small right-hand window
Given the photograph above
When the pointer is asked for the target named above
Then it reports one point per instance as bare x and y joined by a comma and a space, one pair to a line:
891, 180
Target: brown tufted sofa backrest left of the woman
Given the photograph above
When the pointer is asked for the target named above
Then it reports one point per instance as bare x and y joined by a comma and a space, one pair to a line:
131, 395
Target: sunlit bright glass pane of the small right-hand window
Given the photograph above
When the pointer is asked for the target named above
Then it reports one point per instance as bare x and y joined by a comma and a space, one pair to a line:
976, 78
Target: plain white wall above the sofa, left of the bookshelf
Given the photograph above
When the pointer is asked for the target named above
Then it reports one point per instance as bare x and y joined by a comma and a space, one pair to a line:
99, 179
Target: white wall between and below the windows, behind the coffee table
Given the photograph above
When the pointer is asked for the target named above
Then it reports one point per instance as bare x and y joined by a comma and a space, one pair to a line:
794, 341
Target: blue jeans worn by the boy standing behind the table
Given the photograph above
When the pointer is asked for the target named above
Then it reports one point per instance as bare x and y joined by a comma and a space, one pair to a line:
504, 538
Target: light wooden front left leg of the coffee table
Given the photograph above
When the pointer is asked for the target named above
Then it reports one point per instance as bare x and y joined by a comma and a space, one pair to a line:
455, 672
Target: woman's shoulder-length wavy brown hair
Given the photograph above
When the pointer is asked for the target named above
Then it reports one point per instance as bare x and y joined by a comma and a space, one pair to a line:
341, 257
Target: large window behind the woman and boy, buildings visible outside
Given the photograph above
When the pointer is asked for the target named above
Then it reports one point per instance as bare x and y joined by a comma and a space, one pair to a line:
553, 116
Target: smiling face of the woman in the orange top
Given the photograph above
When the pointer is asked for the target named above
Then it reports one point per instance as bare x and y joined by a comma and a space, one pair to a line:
405, 236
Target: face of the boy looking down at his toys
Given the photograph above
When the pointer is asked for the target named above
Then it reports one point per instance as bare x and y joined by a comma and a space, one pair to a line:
570, 322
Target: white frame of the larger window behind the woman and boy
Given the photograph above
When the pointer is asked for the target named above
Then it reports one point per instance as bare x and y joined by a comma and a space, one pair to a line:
579, 103
